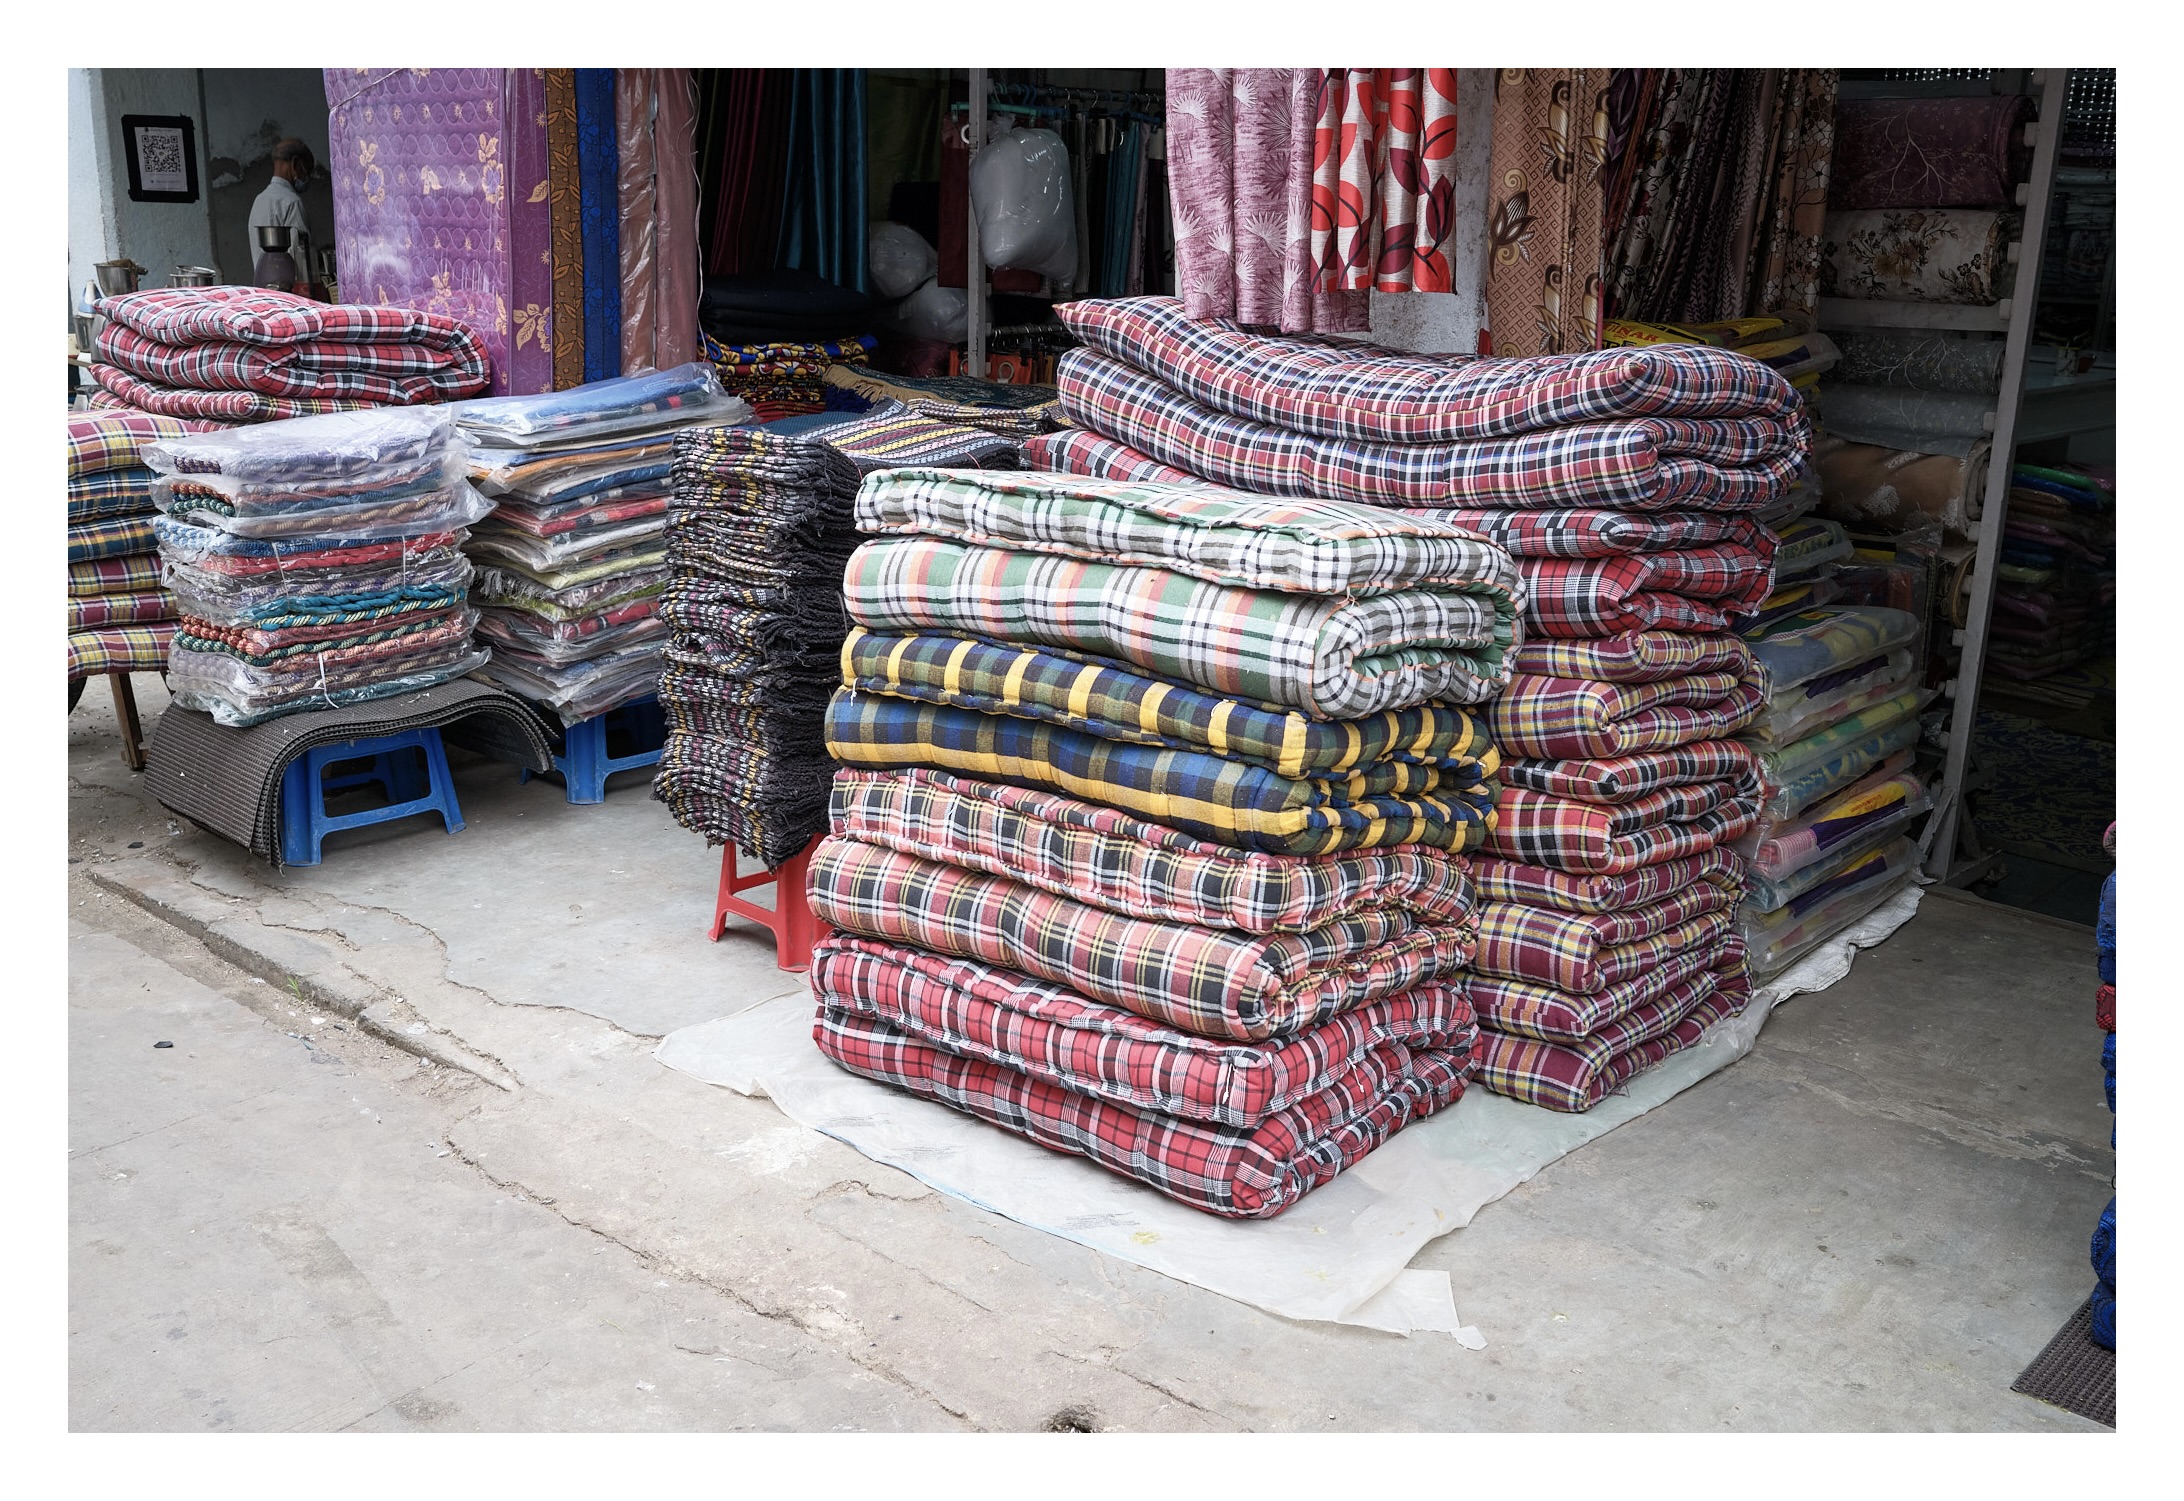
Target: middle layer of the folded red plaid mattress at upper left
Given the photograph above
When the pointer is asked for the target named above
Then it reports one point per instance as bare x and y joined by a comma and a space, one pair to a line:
394, 375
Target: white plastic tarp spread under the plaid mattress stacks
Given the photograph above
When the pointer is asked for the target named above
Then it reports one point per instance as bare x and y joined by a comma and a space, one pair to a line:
1342, 1253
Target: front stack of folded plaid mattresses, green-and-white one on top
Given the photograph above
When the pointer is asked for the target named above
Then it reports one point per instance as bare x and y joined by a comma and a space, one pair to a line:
1152, 834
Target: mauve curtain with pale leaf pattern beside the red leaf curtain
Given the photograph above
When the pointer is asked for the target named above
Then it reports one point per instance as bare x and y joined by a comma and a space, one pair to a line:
1239, 165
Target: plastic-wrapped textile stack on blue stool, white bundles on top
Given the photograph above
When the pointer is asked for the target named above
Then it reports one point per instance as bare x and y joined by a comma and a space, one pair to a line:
316, 560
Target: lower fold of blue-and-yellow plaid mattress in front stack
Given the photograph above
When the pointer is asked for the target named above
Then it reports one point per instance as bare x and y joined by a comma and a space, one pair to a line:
1200, 794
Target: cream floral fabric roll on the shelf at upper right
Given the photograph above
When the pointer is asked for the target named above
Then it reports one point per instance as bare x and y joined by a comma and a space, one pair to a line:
1919, 255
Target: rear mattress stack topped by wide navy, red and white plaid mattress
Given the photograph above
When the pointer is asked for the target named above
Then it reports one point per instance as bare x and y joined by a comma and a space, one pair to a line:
1626, 484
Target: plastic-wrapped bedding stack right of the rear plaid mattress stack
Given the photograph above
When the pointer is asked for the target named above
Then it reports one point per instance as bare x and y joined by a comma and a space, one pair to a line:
1836, 744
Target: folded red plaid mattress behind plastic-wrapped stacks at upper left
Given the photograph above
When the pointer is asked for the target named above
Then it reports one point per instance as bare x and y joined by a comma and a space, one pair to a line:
257, 355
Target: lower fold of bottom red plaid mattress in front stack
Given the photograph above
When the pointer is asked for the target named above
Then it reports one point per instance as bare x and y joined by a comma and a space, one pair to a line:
1220, 1170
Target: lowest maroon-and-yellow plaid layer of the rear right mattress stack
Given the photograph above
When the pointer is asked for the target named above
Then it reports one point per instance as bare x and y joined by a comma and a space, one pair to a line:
1574, 1078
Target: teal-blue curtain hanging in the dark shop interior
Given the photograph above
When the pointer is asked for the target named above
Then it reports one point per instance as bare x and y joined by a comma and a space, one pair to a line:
824, 191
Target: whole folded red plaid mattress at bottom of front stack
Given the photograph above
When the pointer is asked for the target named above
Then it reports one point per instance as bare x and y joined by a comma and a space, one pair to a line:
1349, 1087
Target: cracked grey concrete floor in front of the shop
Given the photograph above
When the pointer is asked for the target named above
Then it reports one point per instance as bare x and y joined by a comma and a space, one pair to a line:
412, 1163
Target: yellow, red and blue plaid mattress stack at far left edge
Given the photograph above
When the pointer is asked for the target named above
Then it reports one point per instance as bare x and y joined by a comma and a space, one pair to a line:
119, 615
